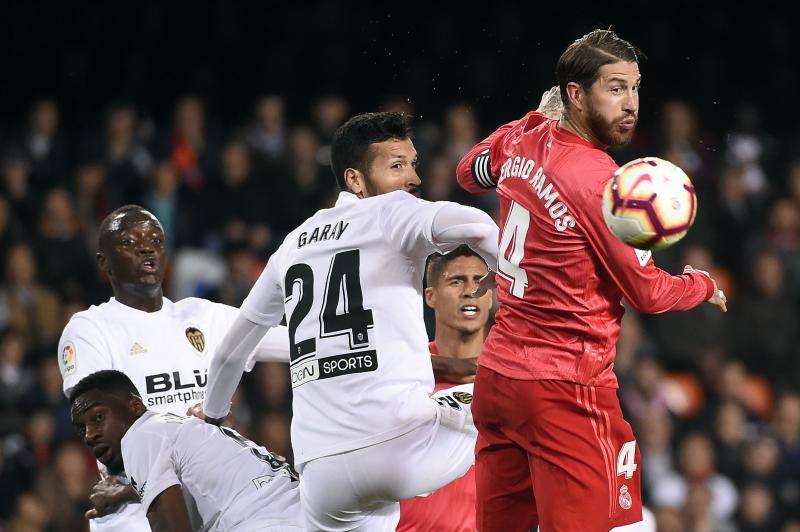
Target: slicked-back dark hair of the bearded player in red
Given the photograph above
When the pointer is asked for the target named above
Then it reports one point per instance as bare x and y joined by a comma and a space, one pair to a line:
581, 61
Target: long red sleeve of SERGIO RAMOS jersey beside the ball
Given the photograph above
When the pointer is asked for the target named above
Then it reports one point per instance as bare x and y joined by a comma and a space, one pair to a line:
646, 287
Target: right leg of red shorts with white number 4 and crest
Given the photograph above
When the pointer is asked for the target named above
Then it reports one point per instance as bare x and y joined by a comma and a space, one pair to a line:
586, 467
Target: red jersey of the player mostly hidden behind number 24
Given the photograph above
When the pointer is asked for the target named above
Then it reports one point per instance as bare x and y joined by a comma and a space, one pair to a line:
451, 508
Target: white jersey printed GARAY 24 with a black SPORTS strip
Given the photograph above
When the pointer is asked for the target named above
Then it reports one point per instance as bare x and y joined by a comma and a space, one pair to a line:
349, 280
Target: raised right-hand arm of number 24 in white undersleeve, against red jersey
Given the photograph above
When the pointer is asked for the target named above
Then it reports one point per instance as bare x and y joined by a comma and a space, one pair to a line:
456, 224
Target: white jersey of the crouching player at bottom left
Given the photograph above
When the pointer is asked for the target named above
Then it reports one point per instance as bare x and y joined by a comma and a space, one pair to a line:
226, 480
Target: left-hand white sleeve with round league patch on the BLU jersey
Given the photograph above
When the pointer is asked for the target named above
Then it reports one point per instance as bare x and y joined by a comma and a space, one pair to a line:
82, 351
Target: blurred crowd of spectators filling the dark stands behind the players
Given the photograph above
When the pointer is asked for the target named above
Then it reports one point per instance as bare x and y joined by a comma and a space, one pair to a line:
713, 398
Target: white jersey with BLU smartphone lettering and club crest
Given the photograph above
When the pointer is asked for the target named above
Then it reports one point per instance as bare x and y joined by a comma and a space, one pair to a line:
164, 353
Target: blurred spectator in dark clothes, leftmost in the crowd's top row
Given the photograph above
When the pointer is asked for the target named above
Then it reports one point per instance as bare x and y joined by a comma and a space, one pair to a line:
45, 146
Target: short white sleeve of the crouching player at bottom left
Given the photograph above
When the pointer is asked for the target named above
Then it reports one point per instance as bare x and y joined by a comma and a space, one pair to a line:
149, 463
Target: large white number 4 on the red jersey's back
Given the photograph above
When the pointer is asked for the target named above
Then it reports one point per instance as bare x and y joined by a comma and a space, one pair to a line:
512, 249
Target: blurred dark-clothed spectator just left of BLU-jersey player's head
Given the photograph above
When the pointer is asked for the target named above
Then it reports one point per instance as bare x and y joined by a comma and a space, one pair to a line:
64, 261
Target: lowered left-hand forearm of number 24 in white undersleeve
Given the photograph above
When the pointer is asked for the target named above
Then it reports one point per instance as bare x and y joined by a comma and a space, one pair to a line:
227, 364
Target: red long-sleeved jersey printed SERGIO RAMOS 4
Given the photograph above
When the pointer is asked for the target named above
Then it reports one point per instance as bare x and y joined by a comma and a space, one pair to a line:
561, 272
